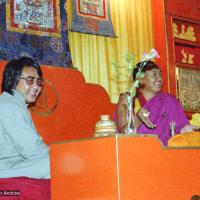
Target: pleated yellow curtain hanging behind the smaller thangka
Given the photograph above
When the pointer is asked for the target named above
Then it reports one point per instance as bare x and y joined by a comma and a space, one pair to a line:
93, 55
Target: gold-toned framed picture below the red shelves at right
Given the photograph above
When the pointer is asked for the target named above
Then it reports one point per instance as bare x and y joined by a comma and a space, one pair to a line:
188, 80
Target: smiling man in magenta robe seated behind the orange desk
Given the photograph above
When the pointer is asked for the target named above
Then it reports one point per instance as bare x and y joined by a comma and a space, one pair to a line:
156, 111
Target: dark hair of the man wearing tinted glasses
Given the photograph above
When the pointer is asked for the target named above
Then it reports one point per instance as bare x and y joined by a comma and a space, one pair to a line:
13, 70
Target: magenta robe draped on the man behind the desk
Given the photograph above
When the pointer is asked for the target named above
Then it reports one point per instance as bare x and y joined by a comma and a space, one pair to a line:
164, 108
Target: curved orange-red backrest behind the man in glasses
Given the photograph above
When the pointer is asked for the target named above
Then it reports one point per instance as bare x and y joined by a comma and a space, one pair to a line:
68, 107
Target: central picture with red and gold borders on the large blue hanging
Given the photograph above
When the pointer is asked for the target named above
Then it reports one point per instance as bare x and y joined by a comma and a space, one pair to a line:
34, 17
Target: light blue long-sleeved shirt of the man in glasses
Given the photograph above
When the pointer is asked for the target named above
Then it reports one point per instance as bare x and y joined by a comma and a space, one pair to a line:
22, 150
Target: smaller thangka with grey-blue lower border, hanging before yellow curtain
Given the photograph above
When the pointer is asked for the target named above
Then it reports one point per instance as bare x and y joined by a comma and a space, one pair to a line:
92, 17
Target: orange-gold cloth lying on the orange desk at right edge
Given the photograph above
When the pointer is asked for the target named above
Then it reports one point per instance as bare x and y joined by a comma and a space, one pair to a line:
190, 139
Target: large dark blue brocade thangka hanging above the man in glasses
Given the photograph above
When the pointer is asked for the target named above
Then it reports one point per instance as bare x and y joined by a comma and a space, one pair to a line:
35, 28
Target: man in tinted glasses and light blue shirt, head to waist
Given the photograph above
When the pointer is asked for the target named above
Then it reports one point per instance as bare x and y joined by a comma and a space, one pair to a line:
22, 150
